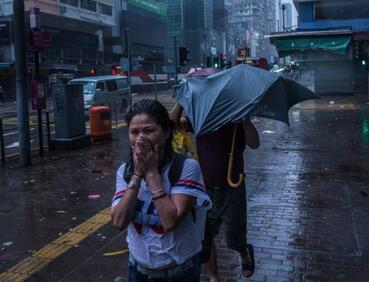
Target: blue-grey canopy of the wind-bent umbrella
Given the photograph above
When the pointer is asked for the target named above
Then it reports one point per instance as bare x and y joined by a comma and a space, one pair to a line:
236, 94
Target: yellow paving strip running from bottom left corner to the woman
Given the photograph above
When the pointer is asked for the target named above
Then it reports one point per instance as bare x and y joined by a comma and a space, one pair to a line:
24, 269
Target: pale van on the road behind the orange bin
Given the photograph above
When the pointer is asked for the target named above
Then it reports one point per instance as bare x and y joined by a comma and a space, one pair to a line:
109, 90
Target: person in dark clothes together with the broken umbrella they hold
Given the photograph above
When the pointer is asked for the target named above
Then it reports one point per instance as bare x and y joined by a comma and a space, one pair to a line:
216, 104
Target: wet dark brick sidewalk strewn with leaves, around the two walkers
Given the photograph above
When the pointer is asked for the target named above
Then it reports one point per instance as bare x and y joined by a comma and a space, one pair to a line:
308, 204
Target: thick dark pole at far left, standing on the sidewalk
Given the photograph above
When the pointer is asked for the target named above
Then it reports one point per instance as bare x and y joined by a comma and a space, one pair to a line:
21, 89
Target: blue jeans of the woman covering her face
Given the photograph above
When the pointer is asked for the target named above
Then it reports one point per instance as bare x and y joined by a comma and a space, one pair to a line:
189, 271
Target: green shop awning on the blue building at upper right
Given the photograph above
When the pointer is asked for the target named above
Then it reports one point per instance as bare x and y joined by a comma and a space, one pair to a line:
288, 46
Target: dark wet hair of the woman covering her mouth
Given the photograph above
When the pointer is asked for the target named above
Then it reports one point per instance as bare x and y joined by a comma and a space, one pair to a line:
158, 113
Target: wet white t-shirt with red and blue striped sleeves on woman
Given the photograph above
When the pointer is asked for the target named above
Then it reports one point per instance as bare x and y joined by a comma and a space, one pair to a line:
146, 239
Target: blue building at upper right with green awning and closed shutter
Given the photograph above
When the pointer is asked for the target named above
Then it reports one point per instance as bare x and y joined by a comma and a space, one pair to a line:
330, 45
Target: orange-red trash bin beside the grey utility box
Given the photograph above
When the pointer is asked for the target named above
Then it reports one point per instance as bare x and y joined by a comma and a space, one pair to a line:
100, 123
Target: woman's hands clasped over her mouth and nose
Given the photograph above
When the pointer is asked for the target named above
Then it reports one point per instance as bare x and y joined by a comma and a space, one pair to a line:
145, 156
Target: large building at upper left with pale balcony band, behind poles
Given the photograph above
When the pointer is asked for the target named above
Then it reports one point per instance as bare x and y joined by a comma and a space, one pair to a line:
76, 28
